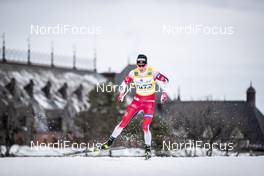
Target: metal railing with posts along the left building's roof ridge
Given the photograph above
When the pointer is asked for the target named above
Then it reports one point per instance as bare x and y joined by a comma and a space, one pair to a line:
42, 58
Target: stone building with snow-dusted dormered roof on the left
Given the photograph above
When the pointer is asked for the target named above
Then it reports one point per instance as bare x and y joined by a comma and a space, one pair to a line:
39, 103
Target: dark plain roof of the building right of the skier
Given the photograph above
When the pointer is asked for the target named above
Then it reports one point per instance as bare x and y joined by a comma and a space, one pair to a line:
222, 116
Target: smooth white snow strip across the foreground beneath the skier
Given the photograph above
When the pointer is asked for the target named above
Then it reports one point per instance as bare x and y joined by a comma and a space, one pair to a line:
156, 166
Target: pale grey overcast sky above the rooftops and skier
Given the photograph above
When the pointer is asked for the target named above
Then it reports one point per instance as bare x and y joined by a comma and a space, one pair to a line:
202, 64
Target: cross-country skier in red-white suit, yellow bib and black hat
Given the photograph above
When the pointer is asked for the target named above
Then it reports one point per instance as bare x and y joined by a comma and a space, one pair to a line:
144, 78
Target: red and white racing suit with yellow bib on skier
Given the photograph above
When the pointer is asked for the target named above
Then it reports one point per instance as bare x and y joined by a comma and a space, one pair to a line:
144, 100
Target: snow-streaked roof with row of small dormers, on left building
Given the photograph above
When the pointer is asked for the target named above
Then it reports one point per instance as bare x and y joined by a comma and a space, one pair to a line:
46, 107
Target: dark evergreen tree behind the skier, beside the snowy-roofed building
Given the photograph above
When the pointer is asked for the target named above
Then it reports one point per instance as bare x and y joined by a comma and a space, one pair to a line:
98, 122
